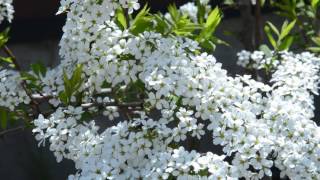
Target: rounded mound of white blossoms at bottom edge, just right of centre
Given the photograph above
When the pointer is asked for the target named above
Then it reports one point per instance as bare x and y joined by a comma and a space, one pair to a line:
182, 164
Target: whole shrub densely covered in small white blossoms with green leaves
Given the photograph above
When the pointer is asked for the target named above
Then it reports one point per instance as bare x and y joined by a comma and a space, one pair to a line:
117, 68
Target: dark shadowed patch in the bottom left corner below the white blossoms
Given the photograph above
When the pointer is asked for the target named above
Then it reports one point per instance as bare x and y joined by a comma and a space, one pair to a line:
22, 159
